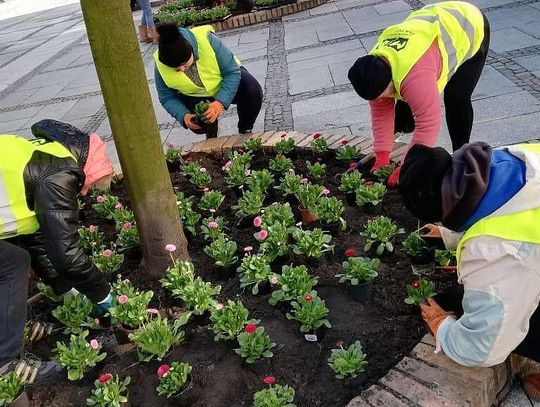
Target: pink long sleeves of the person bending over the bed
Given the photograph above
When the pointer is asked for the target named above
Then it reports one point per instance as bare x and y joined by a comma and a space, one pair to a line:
419, 90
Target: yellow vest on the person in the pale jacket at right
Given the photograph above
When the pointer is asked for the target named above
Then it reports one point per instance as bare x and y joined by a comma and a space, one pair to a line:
521, 226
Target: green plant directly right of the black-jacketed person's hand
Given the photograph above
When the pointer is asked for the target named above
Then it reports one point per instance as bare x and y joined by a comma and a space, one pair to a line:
131, 311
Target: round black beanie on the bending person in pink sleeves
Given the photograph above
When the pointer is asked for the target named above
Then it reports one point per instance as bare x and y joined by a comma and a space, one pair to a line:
370, 76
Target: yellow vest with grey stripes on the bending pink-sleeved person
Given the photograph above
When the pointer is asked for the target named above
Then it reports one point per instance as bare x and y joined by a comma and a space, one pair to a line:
457, 26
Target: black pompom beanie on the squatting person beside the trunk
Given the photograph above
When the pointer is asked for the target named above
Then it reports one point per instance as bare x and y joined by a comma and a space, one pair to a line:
174, 49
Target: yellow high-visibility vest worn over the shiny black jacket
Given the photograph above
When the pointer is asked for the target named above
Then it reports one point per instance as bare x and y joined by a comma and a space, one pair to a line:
15, 216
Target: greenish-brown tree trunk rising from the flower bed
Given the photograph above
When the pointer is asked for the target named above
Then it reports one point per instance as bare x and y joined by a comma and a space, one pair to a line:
122, 78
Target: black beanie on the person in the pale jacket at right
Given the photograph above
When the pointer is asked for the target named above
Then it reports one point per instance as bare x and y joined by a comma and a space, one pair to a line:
420, 181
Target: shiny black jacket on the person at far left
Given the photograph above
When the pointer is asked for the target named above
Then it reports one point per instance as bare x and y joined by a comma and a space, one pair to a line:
52, 188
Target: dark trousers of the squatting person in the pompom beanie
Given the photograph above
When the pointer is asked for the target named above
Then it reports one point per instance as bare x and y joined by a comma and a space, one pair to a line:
248, 100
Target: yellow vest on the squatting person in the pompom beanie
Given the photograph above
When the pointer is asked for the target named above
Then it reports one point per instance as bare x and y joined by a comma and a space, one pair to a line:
207, 67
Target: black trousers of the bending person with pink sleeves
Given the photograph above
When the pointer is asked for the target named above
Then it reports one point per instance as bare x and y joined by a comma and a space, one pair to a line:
457, 98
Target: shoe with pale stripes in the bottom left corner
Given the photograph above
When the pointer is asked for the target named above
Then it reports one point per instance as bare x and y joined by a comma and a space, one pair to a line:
33, 372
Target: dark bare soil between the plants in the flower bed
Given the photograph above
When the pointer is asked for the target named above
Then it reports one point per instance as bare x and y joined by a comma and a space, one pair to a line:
387, 328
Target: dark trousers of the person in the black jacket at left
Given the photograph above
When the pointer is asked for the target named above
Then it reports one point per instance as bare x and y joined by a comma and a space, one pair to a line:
14, 265
